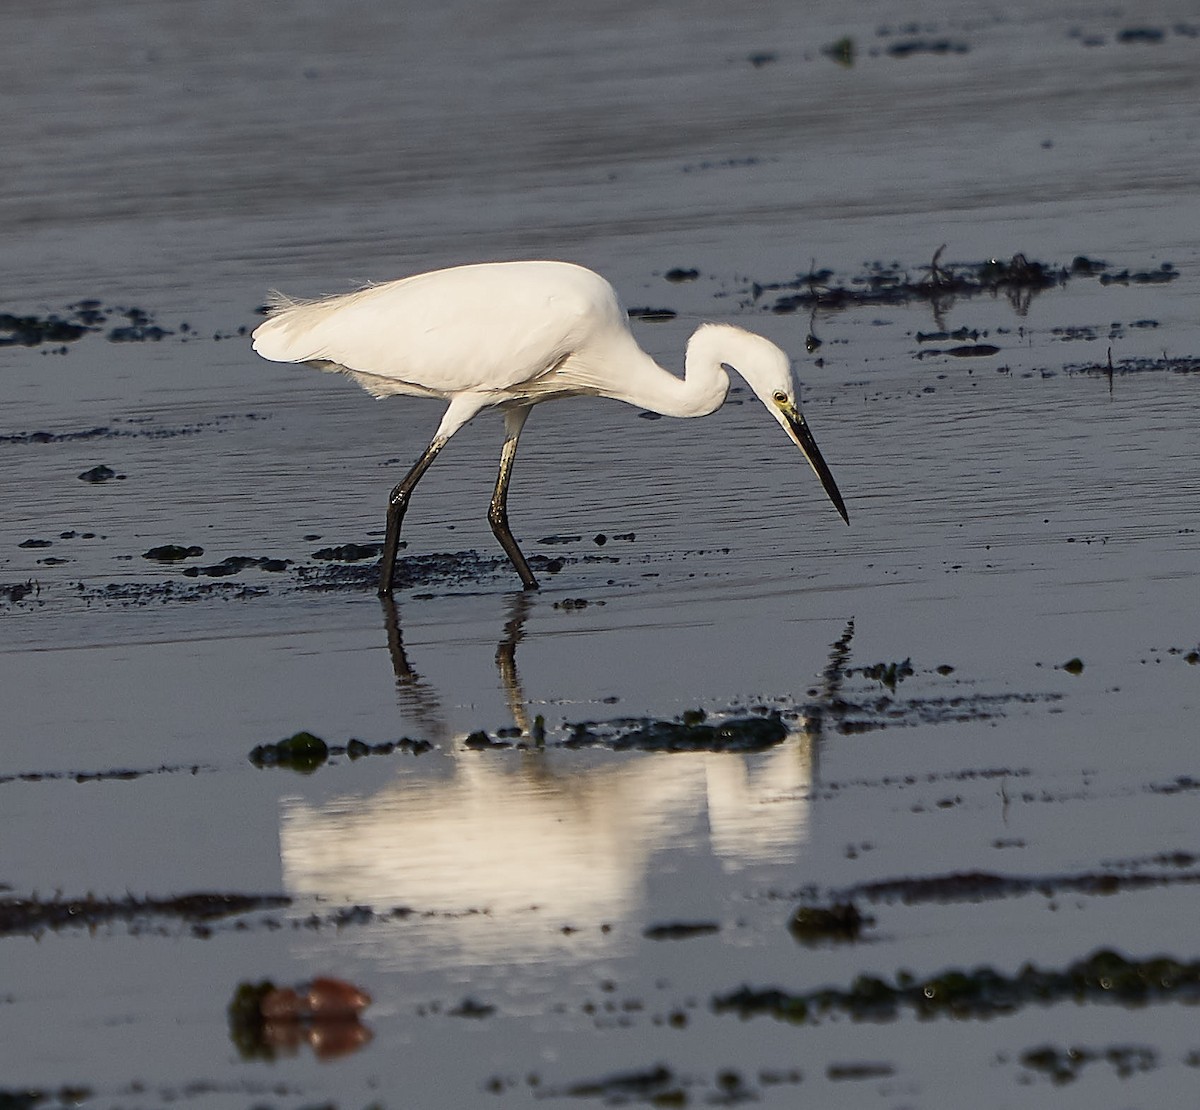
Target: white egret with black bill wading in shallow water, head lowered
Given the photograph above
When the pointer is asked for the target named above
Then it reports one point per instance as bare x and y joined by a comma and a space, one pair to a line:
511, 335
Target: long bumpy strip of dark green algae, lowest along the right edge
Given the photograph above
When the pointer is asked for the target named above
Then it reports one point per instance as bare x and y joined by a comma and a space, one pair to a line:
1106, 976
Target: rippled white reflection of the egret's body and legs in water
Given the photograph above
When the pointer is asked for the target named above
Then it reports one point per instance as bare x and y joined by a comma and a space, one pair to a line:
533, 837
